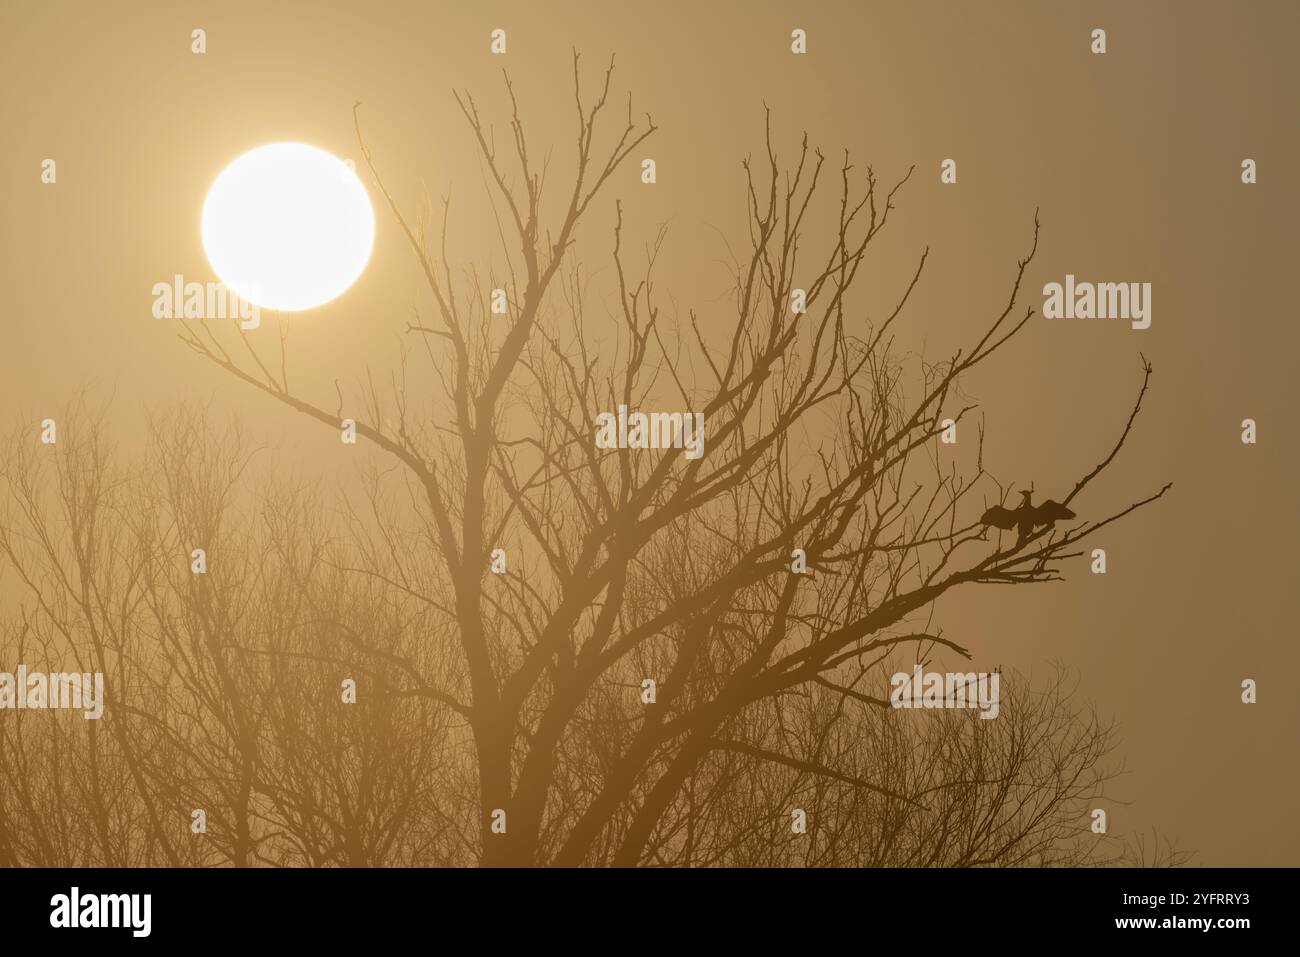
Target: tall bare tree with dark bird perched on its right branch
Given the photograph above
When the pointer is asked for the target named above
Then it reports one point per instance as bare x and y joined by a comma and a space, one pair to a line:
632, 565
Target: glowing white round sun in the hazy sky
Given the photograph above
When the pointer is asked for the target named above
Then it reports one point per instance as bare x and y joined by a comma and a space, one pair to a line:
288, 227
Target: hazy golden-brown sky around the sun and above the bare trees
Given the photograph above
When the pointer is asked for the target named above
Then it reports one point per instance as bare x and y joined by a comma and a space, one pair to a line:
1133, 161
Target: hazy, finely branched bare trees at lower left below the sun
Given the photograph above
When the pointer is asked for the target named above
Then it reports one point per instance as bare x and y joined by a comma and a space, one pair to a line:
224, 687
